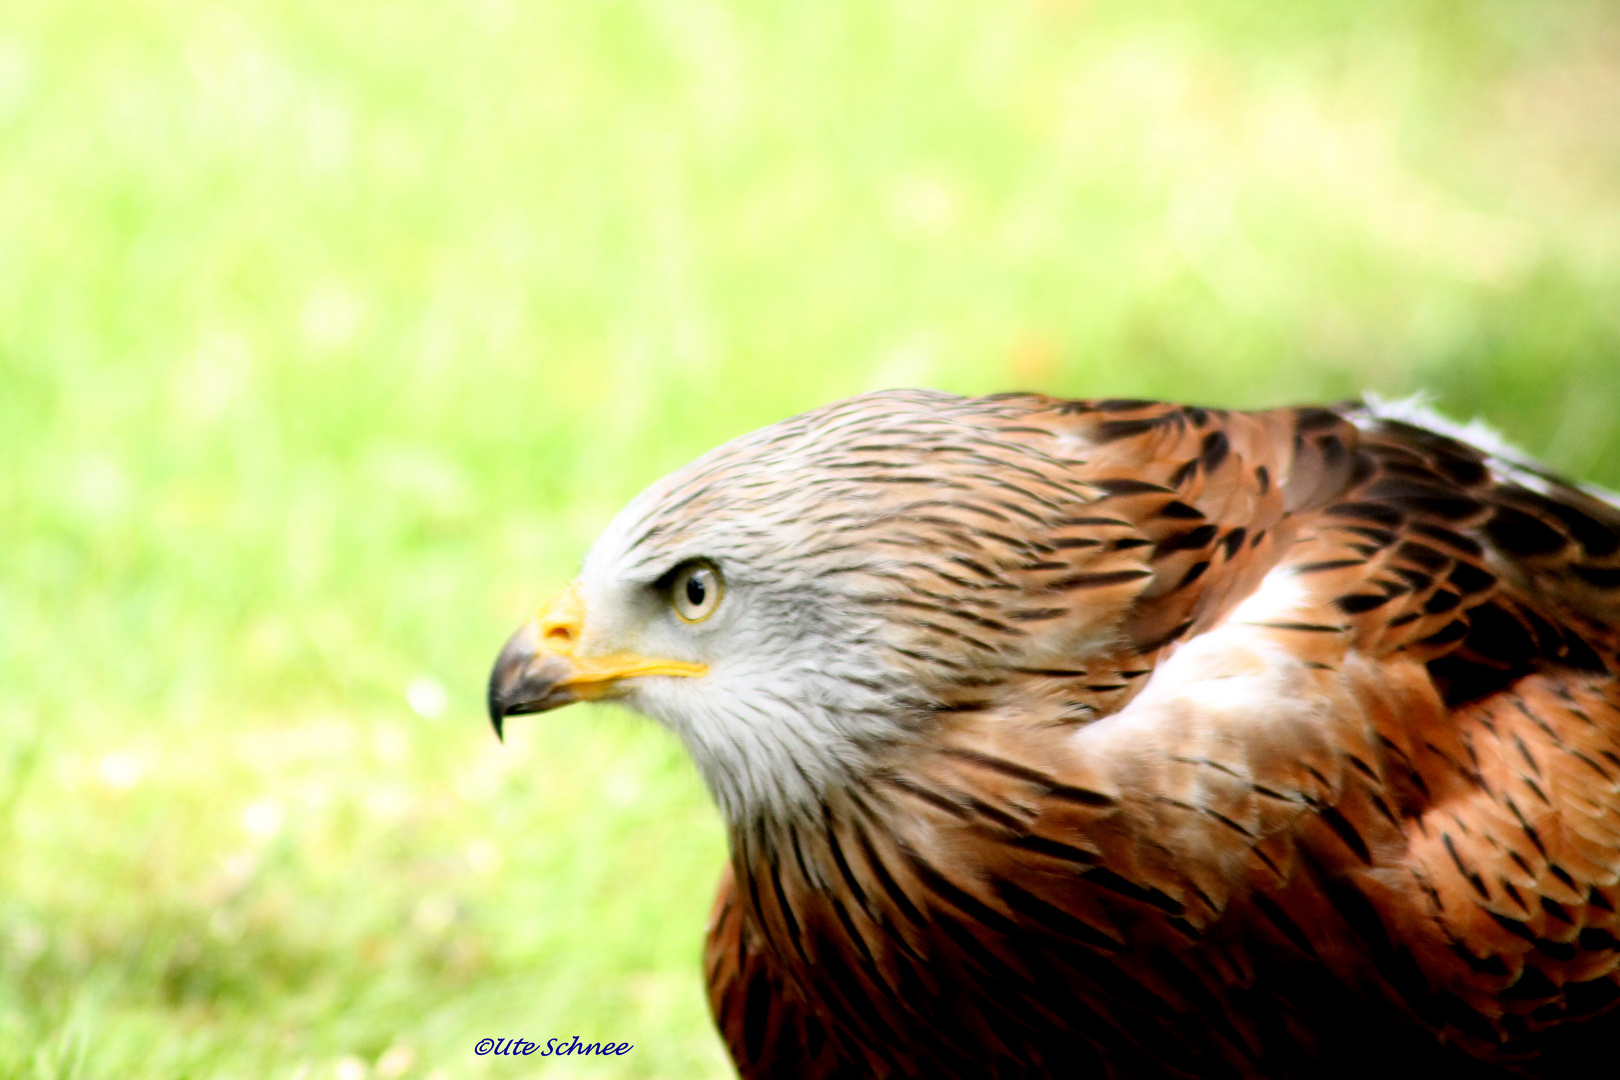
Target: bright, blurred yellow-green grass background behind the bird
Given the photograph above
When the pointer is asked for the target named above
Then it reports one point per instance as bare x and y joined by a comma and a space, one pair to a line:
331, 334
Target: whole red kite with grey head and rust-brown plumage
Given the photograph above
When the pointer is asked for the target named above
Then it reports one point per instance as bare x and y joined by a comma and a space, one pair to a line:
1120, 739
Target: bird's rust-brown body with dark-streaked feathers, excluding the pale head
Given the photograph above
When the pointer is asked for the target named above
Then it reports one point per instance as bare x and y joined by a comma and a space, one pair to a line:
1391, 797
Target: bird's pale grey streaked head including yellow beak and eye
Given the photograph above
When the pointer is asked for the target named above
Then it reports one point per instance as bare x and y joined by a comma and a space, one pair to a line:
817, 592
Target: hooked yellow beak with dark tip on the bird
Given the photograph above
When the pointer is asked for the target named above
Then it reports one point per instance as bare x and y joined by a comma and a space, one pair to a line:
544, 670
